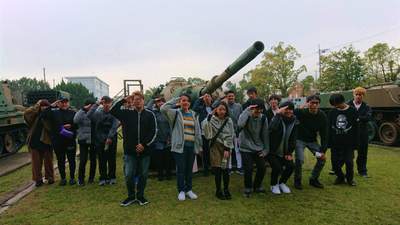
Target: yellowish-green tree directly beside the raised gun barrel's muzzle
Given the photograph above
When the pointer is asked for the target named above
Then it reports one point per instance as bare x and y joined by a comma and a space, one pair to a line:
276, 73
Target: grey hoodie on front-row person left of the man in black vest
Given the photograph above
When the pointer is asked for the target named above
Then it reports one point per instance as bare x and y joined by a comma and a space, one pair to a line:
254, 136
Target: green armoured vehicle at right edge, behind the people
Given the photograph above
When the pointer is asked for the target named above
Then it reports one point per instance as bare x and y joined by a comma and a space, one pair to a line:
384, 100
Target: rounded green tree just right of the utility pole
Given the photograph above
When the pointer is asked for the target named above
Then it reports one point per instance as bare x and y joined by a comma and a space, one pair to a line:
341, 70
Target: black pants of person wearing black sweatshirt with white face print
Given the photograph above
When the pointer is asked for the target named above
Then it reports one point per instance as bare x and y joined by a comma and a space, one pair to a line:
342, 155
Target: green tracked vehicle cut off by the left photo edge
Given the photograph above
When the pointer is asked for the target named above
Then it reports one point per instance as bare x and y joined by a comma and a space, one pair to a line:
13, 130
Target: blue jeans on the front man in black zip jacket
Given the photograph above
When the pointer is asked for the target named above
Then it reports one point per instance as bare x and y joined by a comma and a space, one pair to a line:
133, 164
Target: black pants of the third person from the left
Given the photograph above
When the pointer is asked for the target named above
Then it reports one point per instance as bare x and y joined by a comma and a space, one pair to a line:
85, 150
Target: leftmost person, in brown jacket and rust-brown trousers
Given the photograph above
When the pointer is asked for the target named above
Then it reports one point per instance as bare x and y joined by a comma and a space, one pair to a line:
39, 143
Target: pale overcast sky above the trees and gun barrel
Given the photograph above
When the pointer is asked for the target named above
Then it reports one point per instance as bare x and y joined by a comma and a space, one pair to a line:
156, 40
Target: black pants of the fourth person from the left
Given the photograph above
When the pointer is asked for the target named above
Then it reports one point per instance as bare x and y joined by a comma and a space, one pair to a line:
110, 157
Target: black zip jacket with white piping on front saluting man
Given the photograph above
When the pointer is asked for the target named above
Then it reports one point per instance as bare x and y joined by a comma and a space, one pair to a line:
139, 128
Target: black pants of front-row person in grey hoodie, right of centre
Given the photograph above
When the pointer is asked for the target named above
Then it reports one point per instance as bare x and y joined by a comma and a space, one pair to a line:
249, 159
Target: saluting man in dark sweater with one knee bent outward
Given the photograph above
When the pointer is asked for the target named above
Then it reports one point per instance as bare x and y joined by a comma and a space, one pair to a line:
312, 121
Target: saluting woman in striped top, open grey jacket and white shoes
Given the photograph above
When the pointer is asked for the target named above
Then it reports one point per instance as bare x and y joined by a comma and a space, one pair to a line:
186, 142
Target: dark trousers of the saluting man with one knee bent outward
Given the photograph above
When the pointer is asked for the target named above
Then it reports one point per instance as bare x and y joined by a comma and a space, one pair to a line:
299, 156
